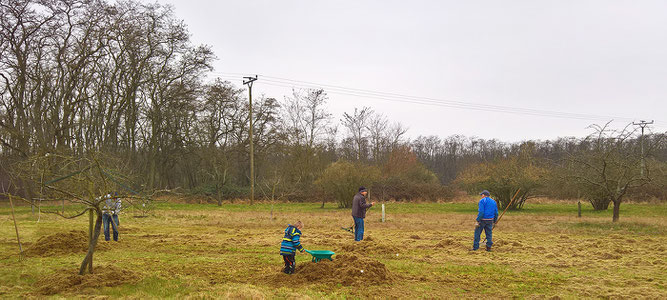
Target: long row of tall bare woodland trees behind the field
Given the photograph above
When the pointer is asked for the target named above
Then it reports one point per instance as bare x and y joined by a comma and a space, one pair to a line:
123, 80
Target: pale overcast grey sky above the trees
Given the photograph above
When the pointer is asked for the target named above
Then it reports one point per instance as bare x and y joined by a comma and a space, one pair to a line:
605, 58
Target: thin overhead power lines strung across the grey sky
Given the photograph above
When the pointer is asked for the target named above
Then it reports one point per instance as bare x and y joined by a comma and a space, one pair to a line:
394, 97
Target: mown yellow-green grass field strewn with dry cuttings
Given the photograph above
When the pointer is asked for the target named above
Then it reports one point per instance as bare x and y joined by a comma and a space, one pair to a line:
206, 251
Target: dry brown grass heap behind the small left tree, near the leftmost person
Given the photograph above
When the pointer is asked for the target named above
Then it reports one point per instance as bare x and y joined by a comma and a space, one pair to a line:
75, 241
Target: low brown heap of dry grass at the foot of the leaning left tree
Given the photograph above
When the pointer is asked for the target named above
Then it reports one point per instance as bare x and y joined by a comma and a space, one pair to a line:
68, 280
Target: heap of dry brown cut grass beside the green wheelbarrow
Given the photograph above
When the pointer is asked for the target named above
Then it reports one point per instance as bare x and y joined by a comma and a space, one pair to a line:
346, 269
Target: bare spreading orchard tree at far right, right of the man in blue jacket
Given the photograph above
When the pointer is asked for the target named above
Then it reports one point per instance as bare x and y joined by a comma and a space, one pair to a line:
612, 165
